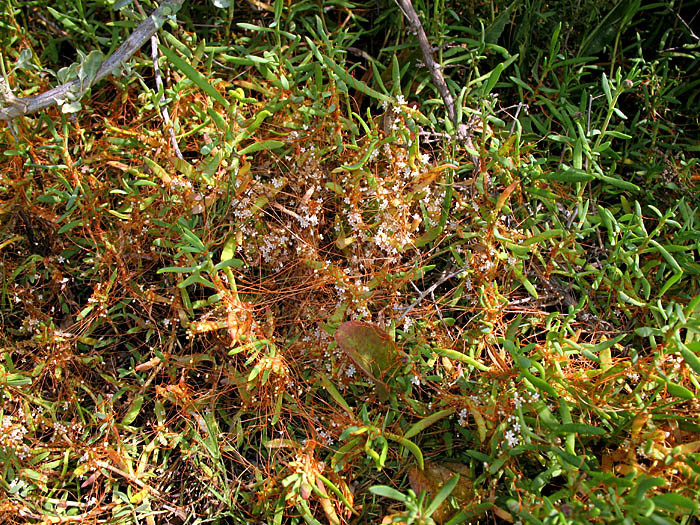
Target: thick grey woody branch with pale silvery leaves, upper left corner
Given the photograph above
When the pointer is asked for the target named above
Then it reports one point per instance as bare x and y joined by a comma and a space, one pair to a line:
12, 106
